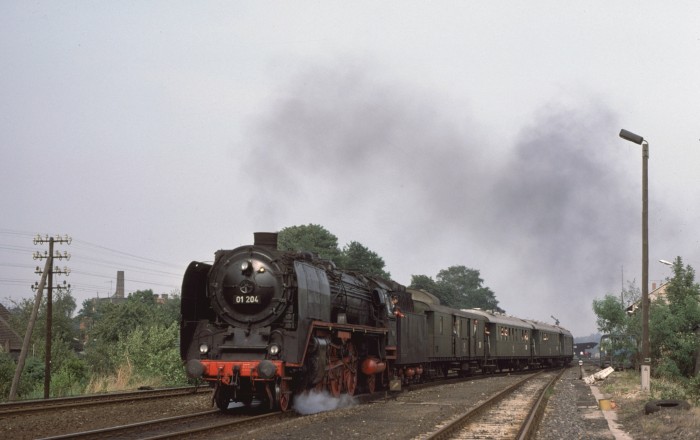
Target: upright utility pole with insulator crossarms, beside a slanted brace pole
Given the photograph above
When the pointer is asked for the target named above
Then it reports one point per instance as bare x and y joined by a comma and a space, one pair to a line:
50, 256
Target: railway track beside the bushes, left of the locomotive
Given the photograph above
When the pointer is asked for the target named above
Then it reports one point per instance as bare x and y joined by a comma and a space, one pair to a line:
30, 406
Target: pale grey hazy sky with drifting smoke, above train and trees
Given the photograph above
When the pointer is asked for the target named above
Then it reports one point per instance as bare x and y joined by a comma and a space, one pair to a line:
437, 134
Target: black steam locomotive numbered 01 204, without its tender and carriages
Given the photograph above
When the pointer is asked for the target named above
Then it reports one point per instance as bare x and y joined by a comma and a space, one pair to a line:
264, 324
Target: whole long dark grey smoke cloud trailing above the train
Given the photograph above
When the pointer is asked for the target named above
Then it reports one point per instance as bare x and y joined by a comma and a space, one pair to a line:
390, 161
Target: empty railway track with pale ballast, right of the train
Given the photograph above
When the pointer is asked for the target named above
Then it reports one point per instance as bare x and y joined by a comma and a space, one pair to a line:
512, 413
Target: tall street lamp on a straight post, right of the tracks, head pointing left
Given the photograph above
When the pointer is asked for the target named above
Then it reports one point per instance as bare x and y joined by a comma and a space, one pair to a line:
646, 359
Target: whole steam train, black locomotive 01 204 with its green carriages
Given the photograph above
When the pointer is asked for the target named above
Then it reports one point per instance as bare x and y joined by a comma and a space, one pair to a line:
265, 324
